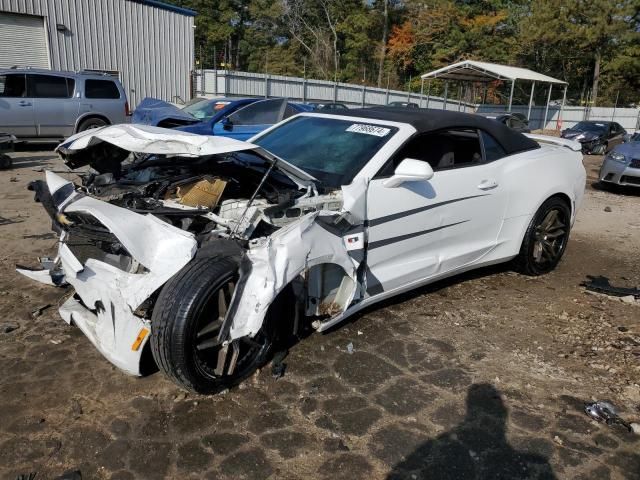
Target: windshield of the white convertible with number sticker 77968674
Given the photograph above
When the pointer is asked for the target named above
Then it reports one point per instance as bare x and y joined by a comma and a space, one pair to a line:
331, 150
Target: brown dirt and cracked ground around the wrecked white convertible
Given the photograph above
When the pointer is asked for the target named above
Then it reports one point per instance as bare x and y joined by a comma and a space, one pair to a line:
481, 376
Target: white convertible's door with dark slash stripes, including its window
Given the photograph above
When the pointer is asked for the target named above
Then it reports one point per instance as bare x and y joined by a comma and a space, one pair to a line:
422, 229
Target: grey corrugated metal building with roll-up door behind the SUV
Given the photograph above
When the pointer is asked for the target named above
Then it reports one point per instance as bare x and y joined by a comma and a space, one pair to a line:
148, 44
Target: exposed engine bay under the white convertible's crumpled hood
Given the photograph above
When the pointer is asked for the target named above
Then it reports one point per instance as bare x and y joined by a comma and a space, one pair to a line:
232, 193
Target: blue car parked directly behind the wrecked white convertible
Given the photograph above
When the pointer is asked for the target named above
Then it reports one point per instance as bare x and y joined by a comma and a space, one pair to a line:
239, 118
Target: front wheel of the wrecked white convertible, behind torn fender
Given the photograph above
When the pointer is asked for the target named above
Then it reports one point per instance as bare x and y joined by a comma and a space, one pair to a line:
184, 310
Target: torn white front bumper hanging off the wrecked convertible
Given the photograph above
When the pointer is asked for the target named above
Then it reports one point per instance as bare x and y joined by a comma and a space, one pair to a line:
106, 297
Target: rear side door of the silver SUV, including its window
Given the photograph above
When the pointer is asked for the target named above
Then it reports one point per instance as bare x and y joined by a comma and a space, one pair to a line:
55, 107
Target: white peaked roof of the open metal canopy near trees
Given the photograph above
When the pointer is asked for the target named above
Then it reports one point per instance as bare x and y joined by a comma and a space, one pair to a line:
473, 71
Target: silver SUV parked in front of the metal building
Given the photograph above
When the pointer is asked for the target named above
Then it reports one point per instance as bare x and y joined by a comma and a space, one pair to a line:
49, 105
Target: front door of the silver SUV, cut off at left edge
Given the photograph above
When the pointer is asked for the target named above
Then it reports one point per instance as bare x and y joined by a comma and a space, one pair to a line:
16, 108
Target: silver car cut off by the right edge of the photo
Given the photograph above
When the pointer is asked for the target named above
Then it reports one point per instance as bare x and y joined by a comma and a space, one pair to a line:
622, 165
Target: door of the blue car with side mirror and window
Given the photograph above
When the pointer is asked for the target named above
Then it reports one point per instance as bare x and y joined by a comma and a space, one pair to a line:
252, 119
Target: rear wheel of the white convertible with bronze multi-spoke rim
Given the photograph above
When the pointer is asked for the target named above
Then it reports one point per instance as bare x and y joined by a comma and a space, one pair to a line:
543, 245
